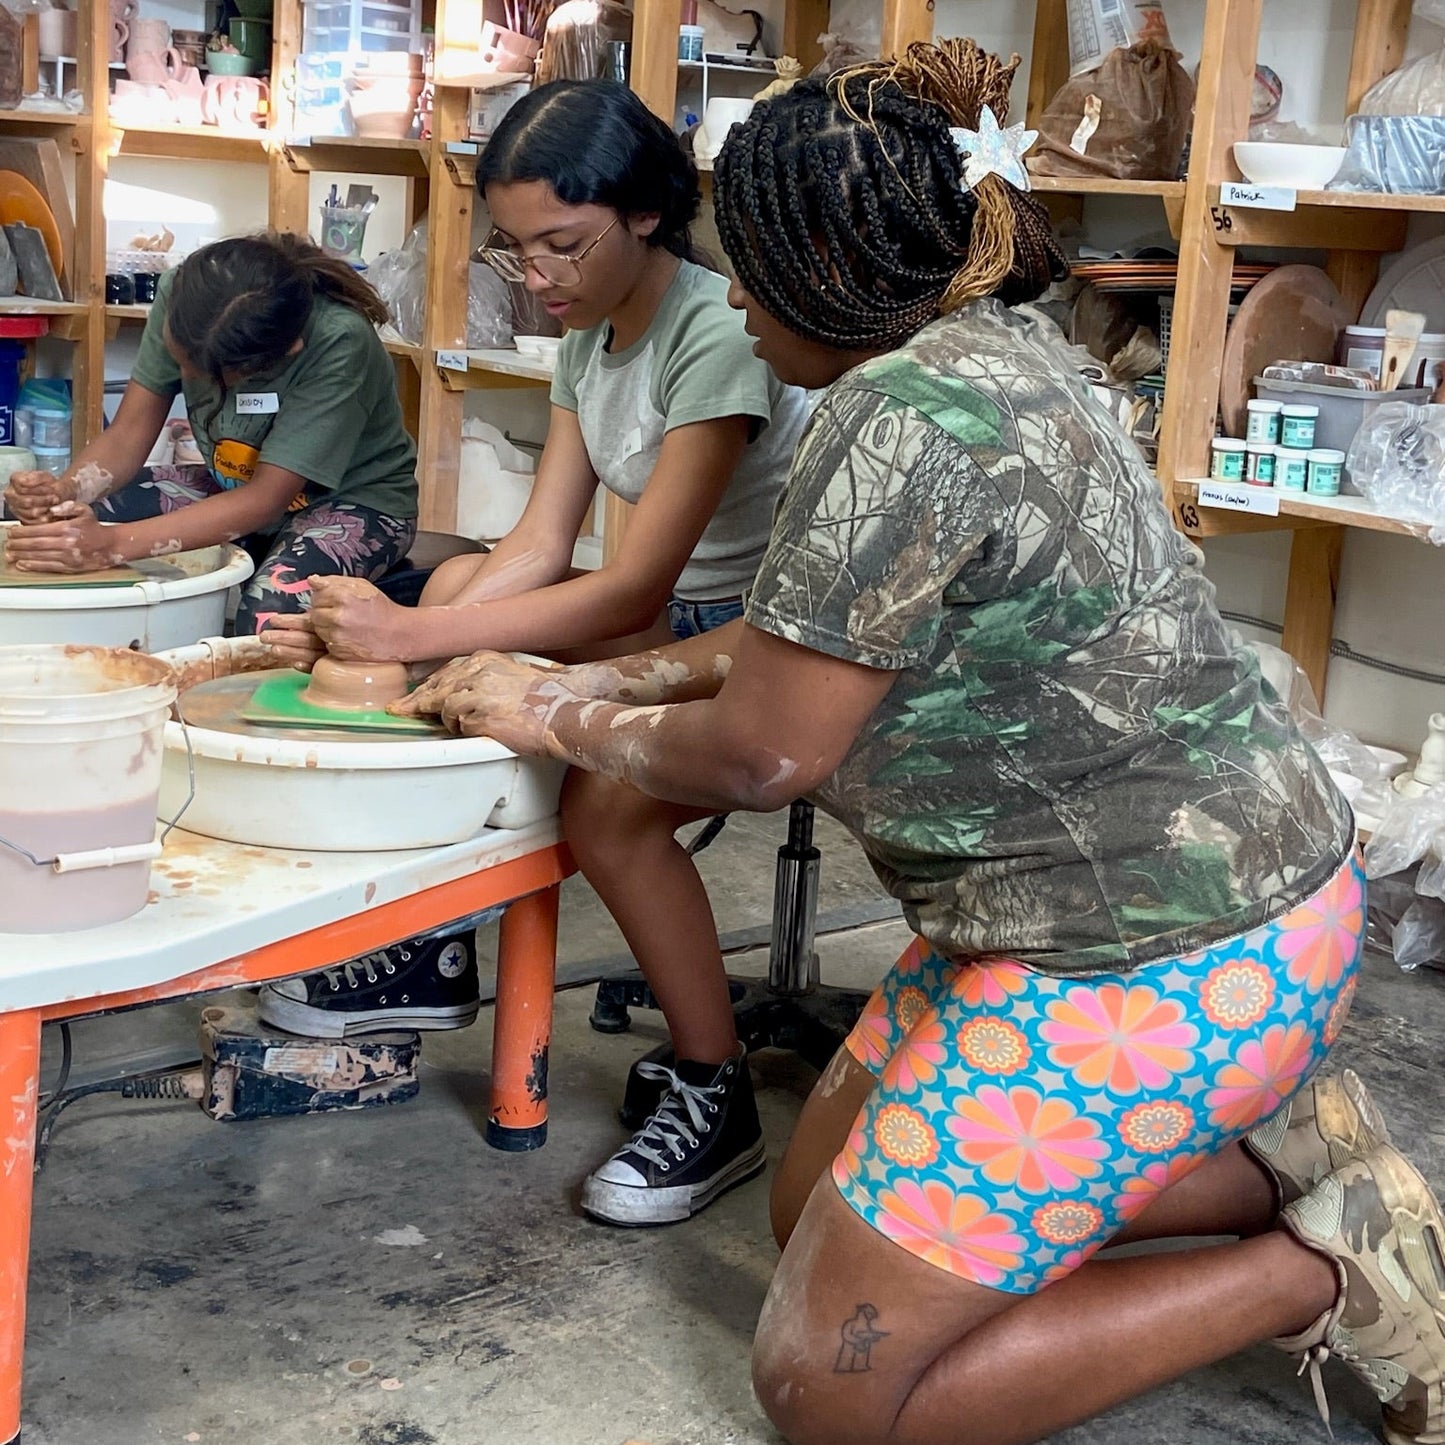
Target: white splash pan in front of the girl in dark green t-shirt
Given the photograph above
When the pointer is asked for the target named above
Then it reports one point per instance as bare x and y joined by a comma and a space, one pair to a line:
147, 616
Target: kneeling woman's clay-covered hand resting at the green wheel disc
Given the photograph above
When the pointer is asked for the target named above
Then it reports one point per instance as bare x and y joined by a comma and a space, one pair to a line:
493, 696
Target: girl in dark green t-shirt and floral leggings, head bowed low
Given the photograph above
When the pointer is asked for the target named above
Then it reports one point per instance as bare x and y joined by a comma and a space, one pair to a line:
294, 407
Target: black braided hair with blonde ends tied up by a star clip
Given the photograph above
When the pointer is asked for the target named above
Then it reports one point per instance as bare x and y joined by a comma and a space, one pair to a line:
843, 207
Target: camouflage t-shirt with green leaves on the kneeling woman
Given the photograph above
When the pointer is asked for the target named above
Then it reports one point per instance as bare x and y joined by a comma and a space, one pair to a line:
1074, 767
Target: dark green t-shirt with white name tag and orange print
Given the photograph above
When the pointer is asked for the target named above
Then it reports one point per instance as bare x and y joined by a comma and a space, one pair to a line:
330, 414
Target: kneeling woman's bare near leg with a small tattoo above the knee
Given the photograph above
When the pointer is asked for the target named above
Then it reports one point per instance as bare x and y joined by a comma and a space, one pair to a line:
960, 1365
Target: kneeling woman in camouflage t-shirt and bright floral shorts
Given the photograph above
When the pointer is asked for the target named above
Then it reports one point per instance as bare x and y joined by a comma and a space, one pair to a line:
979, 642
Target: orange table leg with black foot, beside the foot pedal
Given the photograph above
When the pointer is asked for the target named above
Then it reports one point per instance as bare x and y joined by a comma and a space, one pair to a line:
522, 1030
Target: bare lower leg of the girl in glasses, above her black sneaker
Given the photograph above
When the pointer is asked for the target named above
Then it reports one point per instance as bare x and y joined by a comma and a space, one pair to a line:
624, 843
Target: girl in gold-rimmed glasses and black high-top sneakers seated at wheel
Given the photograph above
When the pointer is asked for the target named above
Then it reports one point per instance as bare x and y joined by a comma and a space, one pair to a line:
660, 400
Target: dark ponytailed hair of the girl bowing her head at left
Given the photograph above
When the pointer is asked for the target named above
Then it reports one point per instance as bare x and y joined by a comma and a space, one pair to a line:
239, 306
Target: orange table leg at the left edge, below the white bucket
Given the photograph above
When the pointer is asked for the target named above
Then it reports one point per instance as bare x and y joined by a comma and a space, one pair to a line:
20, 1089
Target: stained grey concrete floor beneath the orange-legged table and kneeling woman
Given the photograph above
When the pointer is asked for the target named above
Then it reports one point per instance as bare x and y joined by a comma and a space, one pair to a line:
387, 1280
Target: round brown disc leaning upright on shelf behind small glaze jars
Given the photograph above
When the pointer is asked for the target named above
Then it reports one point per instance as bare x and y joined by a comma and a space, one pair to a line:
1295, 314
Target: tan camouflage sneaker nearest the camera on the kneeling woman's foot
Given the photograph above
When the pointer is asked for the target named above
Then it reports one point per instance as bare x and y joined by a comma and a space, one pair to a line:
1382, 1228
